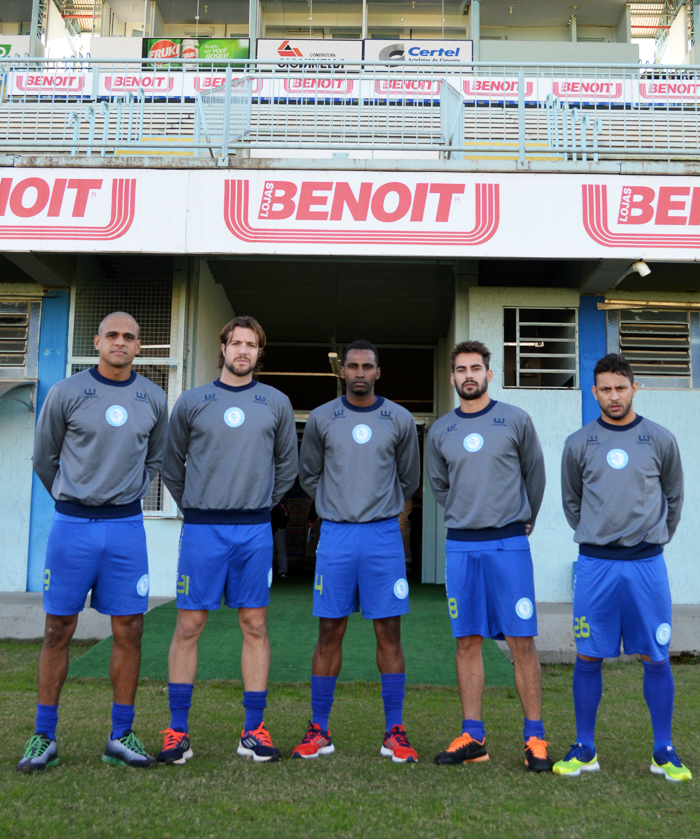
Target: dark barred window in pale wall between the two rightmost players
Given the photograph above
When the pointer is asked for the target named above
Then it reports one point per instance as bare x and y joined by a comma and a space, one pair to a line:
540, 348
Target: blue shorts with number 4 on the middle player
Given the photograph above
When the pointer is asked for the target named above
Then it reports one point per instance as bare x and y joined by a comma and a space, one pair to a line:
360, 565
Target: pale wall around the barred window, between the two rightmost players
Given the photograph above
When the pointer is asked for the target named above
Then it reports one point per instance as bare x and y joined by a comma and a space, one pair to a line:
556, 414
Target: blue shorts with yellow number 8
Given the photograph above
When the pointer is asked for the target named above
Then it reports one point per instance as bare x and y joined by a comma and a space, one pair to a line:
490, 588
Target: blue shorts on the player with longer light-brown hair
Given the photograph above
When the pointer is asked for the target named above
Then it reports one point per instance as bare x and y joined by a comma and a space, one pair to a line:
233, 561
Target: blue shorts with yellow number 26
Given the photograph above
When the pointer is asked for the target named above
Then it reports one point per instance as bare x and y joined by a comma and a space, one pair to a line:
622, 599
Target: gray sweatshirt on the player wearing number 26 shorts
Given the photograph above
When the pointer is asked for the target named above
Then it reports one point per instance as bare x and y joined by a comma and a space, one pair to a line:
622, 488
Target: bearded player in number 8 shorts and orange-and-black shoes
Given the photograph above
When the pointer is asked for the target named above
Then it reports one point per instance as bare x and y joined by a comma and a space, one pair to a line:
486, 469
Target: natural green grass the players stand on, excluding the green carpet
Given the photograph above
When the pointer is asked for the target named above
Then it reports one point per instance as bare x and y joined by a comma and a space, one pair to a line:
353, 793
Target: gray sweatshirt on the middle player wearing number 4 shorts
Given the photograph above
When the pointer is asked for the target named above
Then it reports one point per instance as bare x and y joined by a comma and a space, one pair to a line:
359, 464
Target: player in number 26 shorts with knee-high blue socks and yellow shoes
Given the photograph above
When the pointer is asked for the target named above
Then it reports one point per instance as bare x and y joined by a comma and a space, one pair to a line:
622, 489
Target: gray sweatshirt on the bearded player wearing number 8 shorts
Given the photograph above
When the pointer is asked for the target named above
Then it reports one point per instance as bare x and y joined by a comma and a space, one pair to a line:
487, 470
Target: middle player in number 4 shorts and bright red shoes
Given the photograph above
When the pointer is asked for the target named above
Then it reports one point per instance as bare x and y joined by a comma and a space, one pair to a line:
359, 462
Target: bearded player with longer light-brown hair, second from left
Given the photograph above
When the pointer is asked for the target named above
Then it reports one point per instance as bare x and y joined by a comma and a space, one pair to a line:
231, 456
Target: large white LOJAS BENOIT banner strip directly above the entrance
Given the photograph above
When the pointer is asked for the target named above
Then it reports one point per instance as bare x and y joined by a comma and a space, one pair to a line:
350, 213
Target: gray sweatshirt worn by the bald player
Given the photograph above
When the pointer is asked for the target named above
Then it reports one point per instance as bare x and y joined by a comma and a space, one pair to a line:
100, 443
